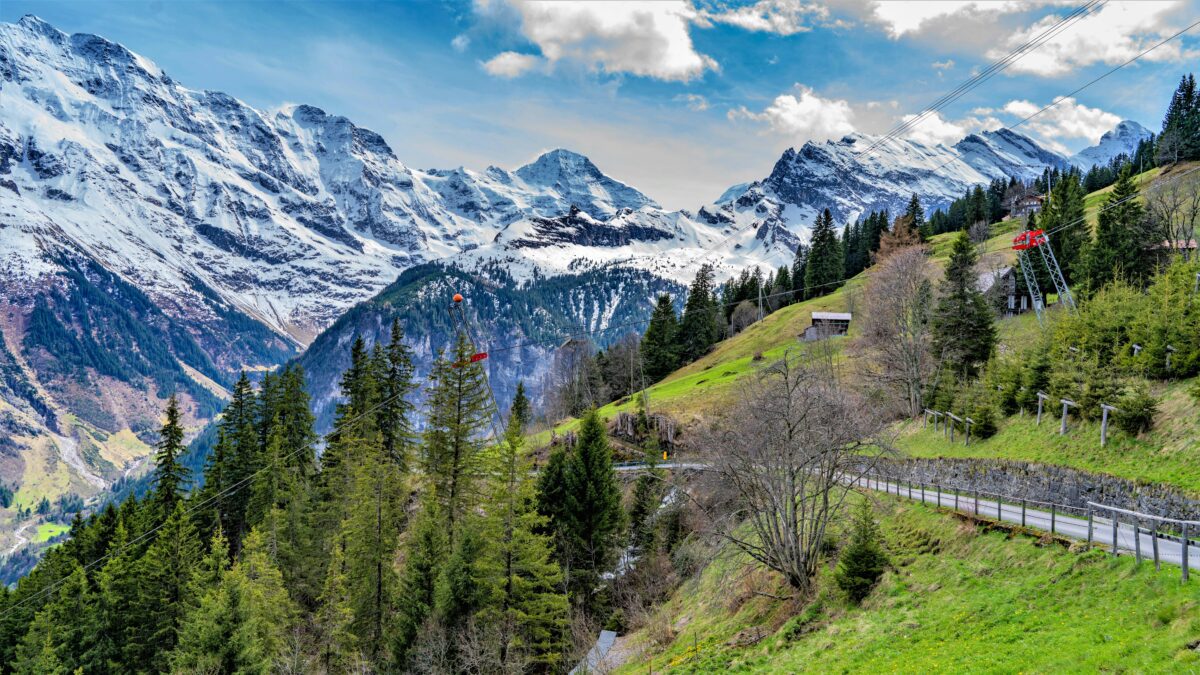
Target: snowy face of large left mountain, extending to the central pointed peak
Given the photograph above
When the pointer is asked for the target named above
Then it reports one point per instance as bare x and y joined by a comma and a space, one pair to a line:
291, 216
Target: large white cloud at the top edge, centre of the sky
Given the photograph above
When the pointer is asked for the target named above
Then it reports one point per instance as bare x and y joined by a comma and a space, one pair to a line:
643, 39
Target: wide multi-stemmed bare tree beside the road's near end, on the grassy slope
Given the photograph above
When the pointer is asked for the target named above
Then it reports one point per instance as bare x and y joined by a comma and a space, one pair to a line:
790, 452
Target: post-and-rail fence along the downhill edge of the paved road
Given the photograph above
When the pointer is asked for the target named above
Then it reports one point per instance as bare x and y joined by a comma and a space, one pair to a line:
1147, 536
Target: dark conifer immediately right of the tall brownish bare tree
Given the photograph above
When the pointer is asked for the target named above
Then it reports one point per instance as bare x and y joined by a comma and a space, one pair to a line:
964, 332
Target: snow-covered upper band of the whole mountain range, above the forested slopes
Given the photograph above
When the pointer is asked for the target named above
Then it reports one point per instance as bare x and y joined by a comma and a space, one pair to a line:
296, 214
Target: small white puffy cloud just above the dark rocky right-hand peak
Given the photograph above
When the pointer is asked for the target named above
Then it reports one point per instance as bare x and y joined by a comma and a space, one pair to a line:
803, 116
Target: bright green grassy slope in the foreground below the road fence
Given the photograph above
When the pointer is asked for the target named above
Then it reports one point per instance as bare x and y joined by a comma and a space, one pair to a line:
961, 600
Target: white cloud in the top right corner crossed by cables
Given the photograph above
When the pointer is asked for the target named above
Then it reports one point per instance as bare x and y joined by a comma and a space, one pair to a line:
1115, 34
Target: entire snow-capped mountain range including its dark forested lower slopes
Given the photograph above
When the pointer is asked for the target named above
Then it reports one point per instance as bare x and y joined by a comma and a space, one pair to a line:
158, 238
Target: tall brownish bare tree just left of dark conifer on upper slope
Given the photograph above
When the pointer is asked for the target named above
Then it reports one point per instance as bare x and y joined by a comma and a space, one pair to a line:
897, 333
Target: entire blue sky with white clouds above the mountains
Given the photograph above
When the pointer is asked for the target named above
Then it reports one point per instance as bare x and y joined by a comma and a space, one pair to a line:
681, 99
